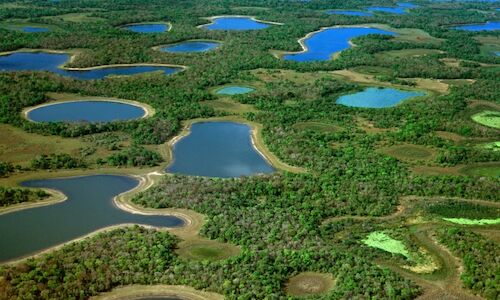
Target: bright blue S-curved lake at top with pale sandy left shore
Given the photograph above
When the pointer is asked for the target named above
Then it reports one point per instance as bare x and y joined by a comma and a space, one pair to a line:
323, 44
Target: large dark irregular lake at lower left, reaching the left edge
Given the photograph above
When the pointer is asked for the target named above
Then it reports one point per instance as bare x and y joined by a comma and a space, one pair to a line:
89, 207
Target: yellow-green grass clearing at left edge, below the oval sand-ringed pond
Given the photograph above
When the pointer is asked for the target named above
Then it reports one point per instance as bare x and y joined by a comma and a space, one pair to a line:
19, 147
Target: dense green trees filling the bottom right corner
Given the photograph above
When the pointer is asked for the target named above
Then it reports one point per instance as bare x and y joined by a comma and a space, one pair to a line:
480, 258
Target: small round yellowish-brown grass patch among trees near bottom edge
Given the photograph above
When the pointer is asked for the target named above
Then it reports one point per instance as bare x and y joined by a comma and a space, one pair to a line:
309, 284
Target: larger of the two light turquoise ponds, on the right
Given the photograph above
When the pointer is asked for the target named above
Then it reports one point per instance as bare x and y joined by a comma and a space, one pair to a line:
377, 97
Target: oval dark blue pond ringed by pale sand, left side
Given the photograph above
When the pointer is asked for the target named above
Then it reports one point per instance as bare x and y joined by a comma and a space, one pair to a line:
86, 111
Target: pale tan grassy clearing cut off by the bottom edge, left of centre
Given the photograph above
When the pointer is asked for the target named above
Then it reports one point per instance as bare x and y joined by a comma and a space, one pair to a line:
135, 292
